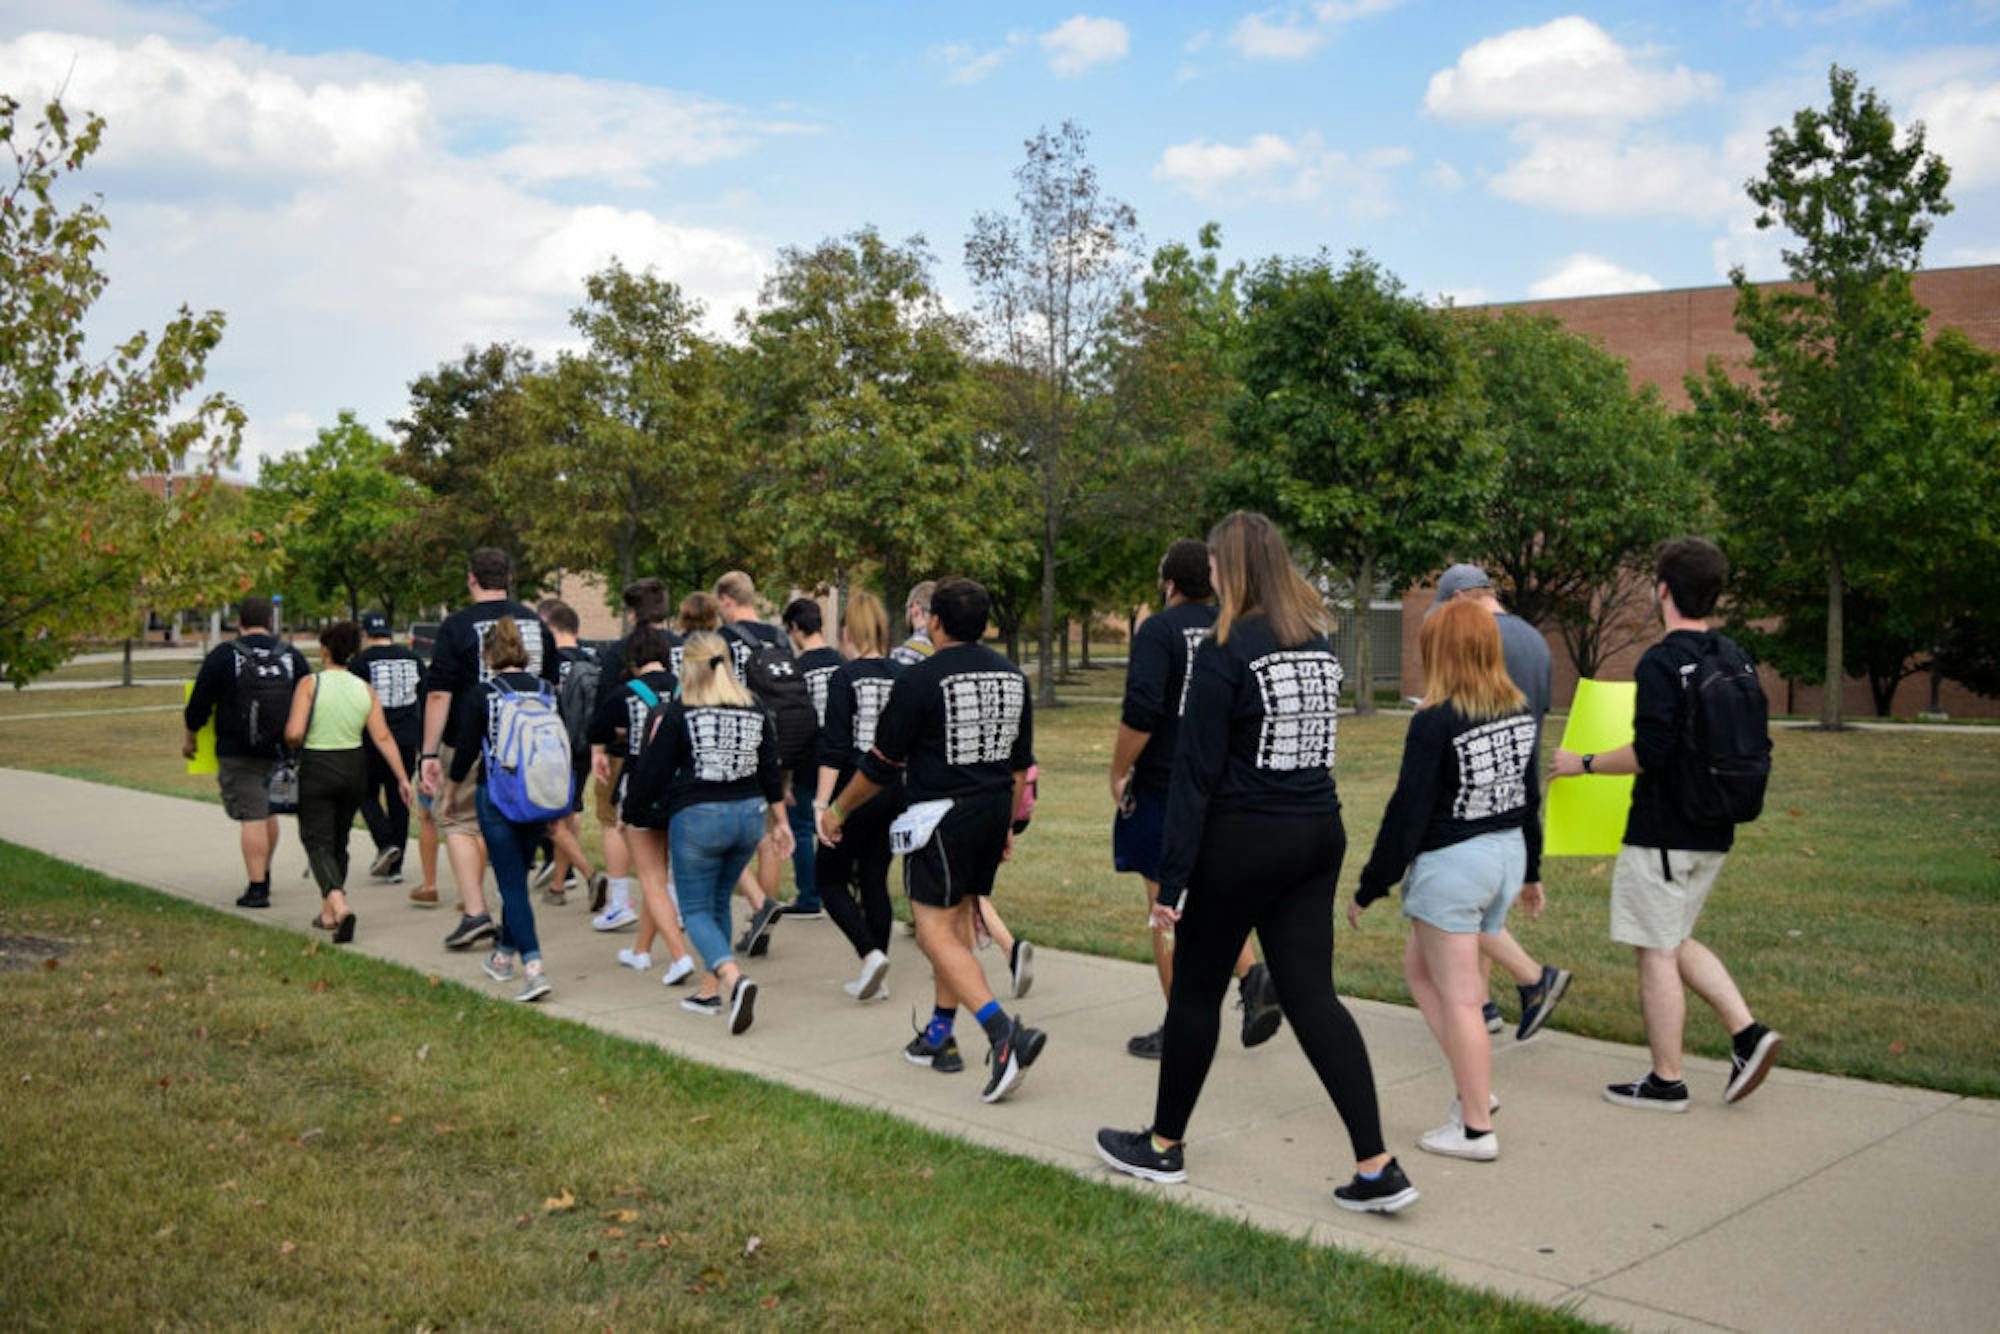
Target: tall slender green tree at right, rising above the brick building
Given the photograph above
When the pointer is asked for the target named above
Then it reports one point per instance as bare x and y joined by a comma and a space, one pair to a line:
1805, 457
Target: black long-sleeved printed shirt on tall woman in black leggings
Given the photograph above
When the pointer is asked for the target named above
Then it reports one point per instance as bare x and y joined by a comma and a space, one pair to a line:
1259, 737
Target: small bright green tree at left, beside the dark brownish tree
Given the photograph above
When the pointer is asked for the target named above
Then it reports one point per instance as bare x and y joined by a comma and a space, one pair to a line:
345, 513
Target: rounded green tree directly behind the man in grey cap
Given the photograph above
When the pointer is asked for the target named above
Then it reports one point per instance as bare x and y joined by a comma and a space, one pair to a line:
1591, 481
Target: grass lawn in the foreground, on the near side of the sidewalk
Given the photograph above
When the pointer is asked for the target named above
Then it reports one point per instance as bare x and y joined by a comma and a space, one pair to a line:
213, 1123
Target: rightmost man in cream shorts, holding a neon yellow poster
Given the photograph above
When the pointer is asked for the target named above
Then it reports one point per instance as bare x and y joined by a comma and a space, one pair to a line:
1669, 863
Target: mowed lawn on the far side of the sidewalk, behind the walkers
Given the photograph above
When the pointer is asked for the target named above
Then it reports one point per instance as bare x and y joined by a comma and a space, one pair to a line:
1861, 915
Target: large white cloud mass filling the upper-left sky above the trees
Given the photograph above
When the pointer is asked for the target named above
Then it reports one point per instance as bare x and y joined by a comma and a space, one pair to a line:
361, 221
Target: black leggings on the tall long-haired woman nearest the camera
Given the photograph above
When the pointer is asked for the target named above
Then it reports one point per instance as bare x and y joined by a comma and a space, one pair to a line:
1273, 875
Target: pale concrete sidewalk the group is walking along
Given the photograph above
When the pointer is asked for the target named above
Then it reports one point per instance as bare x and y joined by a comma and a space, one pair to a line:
1819, 1203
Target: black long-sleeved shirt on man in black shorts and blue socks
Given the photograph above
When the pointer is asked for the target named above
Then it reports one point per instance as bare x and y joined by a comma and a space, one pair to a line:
957, 725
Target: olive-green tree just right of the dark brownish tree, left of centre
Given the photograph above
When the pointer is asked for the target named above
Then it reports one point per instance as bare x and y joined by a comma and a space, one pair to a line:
627, 455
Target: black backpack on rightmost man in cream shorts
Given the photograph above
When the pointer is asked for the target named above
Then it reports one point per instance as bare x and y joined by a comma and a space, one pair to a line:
1723, 755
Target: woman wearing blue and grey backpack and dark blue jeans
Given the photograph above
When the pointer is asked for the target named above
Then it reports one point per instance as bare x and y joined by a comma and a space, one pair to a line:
519, 741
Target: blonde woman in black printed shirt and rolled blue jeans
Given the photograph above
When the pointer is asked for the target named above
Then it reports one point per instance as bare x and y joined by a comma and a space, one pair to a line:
711, 771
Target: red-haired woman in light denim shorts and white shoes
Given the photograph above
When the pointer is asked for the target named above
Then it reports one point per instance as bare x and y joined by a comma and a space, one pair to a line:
1465, 837
